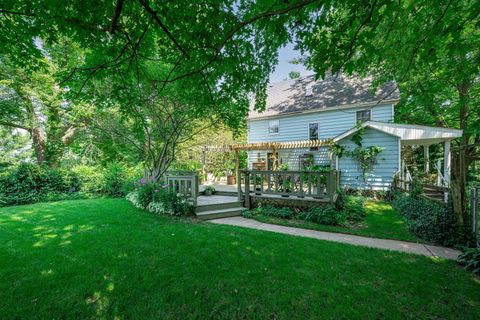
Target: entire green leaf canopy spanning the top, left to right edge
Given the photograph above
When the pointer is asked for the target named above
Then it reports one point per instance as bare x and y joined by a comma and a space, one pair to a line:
213, 56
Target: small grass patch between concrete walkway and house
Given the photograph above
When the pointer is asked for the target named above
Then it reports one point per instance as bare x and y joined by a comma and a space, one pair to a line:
381, 221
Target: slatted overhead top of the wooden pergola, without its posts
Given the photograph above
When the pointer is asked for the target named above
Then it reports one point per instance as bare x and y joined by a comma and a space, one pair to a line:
269, 145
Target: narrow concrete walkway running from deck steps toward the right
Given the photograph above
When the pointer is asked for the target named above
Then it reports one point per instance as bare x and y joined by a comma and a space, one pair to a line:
396, 245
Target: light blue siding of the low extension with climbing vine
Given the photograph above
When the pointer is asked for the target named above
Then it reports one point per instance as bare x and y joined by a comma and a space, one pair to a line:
380, 178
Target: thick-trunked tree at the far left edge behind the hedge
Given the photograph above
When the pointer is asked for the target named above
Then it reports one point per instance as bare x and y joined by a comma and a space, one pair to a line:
32, 101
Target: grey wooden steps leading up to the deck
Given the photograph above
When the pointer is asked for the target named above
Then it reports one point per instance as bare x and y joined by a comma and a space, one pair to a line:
215, 207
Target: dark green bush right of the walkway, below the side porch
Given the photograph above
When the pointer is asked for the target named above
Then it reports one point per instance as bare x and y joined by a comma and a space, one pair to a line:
429, 220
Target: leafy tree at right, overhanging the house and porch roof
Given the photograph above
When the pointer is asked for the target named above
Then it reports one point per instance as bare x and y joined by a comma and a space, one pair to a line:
430, 48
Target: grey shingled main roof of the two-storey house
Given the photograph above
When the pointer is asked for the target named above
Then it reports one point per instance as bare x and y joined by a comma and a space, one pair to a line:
292, 96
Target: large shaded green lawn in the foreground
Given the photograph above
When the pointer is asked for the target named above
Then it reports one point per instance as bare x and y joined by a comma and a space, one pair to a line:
102, 258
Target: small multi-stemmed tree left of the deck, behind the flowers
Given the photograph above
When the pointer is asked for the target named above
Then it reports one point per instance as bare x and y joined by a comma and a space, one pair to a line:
151, 128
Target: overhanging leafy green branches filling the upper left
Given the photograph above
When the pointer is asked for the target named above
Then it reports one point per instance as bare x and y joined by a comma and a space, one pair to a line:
224, 50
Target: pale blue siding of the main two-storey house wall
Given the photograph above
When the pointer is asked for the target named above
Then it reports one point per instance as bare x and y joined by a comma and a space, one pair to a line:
296, 127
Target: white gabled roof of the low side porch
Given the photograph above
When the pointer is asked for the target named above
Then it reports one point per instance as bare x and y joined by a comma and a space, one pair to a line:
409, 134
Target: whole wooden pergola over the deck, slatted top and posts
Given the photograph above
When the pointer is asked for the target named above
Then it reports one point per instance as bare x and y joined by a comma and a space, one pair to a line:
273, 146
